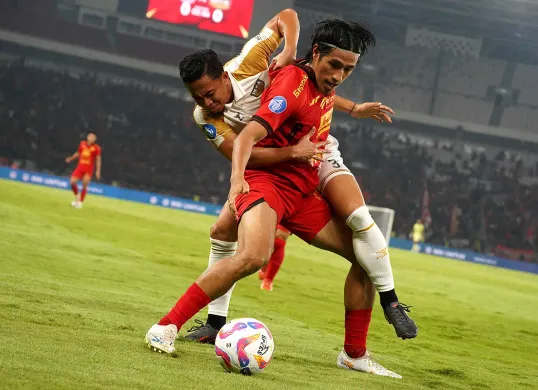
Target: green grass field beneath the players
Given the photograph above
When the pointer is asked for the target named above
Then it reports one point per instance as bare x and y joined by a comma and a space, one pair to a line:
79, 289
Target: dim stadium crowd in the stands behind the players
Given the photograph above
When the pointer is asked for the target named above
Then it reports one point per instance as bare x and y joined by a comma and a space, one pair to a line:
150, 143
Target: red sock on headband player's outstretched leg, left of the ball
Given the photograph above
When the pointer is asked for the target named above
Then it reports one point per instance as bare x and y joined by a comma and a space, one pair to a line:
194, 300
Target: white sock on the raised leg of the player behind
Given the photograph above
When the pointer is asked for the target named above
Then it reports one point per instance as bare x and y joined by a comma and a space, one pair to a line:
371, 249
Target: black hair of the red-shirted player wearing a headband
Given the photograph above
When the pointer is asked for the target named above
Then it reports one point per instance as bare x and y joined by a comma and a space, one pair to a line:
352, 36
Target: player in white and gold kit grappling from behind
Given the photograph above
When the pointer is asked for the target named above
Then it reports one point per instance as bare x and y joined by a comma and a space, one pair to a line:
226, 98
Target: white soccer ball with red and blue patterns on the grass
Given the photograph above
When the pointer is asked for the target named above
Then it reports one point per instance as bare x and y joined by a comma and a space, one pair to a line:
244, 346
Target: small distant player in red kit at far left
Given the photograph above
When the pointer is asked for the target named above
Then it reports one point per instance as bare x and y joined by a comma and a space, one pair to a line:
89, 159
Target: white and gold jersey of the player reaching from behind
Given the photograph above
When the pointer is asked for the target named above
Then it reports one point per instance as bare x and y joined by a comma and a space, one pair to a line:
249, 77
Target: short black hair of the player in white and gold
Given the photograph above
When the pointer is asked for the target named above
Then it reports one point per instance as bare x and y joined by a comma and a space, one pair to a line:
203, 62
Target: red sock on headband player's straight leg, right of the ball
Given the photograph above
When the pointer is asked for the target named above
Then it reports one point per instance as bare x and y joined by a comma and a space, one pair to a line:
357, 323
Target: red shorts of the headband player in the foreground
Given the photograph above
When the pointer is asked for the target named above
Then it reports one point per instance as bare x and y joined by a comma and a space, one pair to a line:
303, 215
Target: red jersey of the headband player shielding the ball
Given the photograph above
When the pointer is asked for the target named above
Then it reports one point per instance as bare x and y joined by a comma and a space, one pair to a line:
290, 107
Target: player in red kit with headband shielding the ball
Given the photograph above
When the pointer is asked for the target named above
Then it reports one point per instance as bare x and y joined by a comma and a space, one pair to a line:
300, 97
